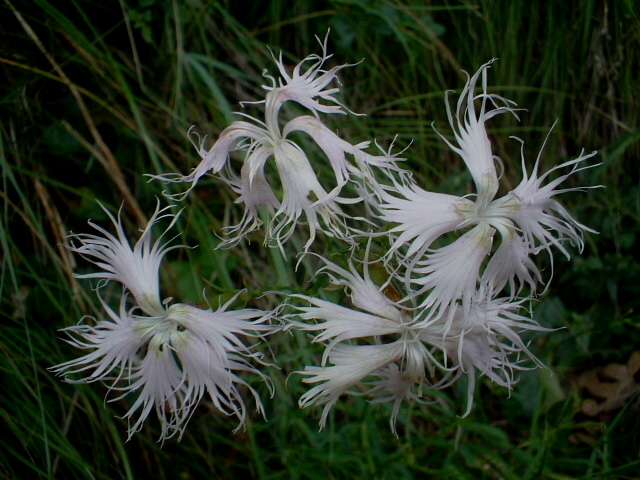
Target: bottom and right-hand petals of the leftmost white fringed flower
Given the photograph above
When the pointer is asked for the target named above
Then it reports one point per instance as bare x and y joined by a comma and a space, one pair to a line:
208, 350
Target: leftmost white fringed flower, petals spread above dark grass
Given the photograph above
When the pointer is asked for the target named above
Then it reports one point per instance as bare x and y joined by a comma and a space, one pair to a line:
169, 356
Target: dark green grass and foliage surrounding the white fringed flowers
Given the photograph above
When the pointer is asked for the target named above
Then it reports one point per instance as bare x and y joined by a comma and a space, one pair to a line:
95, 94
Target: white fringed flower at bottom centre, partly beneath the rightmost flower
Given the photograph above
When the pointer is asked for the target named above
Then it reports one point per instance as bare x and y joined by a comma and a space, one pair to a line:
383, 350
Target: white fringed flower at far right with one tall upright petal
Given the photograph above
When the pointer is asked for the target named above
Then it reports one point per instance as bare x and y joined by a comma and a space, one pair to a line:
526, 220
